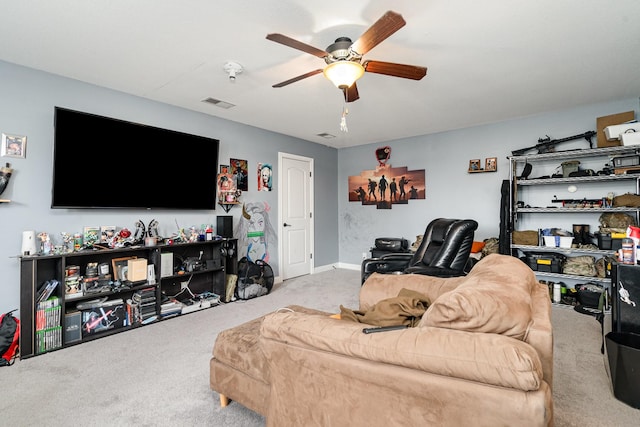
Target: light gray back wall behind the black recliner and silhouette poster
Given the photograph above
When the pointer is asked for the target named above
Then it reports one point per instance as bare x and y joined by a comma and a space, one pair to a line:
451, 190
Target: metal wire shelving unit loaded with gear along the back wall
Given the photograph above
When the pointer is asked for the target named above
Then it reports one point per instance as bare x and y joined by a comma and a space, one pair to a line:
569, 212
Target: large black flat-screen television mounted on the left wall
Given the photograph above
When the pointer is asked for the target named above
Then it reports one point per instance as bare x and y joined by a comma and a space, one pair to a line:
101, 162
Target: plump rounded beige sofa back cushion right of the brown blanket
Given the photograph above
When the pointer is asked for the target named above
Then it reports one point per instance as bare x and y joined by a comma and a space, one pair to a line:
495, 297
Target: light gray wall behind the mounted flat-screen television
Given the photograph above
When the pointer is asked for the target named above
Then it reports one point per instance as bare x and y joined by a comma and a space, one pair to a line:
28, 100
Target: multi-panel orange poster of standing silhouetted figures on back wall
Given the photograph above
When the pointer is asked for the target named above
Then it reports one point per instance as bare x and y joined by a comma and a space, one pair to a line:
386, 186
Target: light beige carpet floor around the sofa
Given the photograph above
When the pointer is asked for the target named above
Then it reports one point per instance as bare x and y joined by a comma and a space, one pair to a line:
158, 375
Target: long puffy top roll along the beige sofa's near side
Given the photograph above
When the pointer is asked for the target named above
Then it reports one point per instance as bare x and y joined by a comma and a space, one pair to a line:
485, 358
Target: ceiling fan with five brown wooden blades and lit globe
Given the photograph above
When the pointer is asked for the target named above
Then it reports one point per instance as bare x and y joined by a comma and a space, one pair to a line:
344, 57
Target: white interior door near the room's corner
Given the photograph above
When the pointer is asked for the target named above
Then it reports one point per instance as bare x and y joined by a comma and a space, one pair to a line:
295, 200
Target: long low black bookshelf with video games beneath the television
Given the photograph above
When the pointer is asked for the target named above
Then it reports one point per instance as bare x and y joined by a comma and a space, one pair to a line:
67, 299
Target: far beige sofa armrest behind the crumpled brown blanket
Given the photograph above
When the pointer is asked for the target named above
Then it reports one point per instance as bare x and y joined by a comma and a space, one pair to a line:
382, 286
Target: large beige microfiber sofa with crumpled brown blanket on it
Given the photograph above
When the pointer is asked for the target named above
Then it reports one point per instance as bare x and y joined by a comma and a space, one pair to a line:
481, 355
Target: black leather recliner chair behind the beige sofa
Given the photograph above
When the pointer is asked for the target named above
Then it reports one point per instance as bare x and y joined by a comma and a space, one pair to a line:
443, 252
